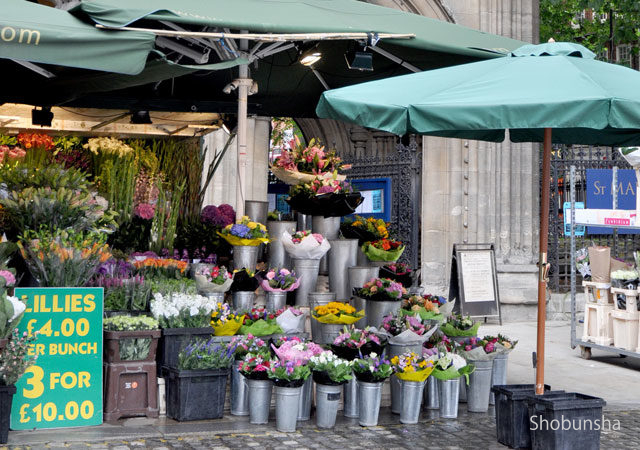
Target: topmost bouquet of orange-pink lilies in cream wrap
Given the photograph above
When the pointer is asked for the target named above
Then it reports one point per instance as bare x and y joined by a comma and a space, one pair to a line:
302, 164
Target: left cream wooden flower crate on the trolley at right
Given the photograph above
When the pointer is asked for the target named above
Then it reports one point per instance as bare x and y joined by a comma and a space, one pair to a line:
598, 324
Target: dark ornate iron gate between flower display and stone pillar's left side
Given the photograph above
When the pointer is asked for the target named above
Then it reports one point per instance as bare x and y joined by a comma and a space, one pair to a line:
403, 164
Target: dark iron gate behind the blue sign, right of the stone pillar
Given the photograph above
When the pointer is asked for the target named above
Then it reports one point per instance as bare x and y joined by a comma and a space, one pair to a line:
563, 157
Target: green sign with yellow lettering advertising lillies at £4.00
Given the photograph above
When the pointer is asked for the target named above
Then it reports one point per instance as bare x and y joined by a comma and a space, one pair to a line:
64, 387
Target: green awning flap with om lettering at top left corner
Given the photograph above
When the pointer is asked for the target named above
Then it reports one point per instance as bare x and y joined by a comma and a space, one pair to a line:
40, 34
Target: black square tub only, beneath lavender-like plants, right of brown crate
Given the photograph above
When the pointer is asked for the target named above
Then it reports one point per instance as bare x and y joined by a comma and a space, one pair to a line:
196, 394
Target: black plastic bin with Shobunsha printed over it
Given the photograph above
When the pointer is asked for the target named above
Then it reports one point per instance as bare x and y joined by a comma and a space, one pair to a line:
566, 421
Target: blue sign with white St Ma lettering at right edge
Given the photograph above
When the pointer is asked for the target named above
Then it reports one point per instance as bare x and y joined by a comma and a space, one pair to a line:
599, 194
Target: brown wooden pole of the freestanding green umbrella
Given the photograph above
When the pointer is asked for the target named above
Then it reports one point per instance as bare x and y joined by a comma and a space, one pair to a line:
542, 262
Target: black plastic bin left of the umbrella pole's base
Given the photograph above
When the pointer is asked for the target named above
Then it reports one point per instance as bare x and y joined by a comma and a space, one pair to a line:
512, 413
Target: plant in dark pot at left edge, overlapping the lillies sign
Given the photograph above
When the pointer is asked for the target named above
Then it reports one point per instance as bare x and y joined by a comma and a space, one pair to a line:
14, 360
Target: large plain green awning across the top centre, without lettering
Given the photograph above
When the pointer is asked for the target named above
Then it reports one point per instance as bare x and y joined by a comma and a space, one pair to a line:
303, 16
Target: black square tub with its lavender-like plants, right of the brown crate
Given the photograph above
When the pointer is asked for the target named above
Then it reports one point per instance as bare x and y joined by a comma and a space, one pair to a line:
196, 388
